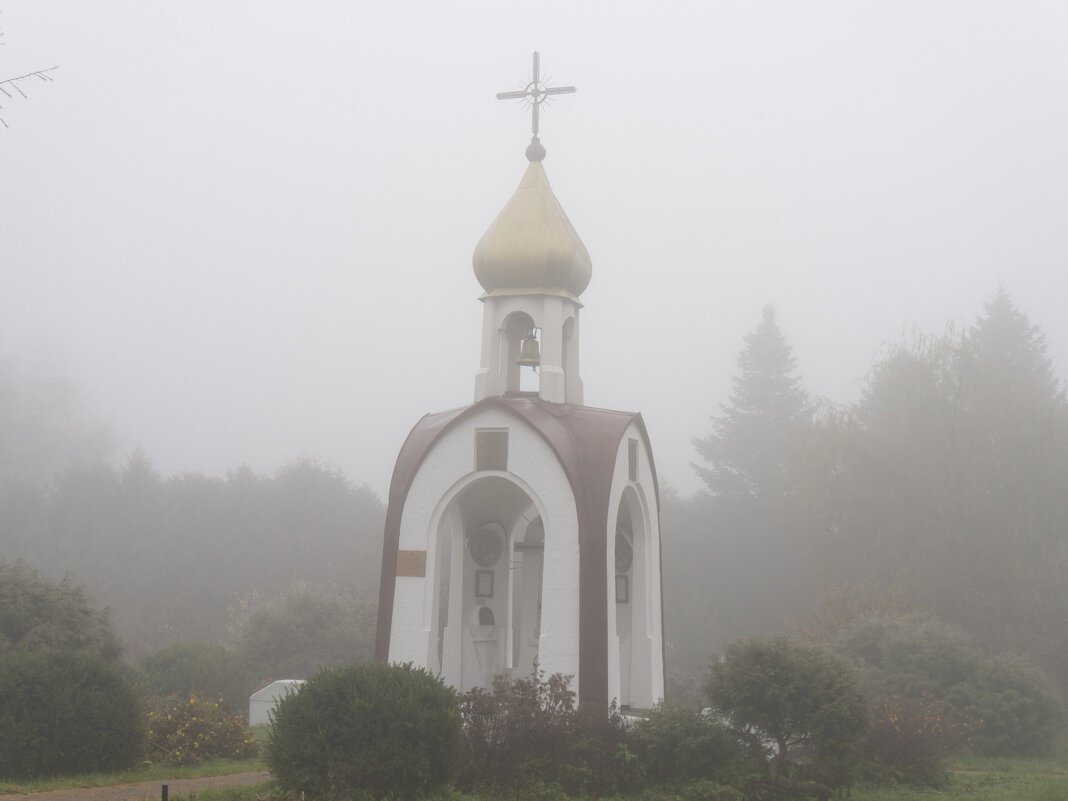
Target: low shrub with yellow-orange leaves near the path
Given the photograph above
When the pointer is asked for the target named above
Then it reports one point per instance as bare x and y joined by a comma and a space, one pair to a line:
189, 731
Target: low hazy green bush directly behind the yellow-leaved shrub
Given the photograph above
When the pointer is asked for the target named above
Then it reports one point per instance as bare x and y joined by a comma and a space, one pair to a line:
196, 669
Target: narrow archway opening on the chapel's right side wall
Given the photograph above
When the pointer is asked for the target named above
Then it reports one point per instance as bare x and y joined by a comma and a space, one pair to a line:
633, 625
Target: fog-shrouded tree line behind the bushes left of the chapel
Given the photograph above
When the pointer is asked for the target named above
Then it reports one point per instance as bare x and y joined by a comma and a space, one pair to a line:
193, 558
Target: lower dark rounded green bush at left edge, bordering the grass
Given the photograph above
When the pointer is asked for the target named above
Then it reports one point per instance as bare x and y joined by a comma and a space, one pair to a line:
67, 713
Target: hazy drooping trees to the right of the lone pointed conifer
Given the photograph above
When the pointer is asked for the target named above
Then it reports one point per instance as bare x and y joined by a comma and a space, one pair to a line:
950, 477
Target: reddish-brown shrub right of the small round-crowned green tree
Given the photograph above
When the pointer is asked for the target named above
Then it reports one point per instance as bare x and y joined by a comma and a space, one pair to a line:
909, 739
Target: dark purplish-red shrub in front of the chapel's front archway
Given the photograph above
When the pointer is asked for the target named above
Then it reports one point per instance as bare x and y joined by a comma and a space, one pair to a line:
529, 734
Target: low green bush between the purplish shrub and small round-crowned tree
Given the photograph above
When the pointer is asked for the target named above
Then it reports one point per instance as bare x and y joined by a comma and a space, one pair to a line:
679, 744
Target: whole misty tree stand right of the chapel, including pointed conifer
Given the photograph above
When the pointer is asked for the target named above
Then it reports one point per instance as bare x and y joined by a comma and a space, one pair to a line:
941, 491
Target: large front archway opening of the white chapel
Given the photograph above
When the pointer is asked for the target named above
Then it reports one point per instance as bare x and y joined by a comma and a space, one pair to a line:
479, 592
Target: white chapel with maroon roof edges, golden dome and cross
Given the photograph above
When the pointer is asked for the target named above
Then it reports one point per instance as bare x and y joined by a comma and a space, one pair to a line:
523, 531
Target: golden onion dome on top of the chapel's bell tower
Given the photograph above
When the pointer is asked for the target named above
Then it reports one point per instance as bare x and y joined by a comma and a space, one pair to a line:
532, 246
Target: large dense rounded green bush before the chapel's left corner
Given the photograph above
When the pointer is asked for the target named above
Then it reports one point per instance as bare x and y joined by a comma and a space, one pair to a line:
366, 731
